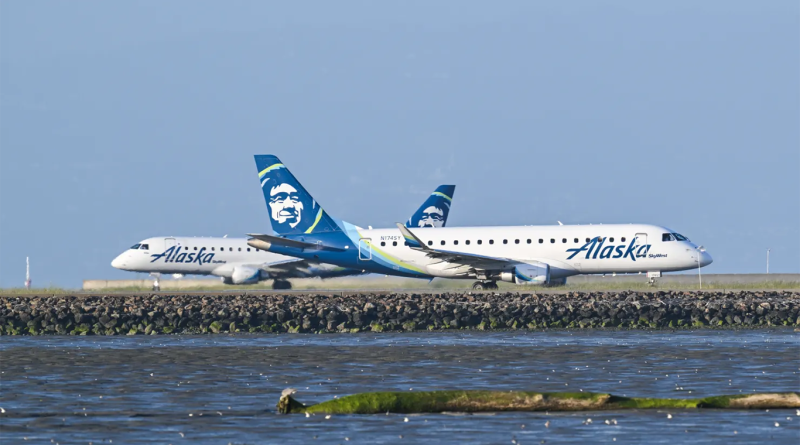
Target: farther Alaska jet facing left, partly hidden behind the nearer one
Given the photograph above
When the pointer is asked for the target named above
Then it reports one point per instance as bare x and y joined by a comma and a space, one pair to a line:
236, 262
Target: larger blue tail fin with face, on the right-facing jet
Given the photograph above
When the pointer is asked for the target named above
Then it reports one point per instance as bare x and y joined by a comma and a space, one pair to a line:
292, 210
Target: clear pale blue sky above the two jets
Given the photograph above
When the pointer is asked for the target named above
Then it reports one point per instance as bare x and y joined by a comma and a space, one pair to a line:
125, 120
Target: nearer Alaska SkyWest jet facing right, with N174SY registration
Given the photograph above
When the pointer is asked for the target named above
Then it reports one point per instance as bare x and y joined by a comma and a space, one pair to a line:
518, 254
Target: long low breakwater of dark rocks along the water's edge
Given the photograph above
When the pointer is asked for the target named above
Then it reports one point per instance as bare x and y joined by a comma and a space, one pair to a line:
374, 312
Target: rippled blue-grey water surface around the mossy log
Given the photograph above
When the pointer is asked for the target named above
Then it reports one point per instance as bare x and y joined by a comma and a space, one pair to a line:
223, 389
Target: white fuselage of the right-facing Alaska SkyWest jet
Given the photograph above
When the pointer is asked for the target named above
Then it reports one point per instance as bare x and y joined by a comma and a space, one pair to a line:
567, 249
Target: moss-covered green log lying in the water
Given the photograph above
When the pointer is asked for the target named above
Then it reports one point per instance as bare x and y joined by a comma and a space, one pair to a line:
494, 401
